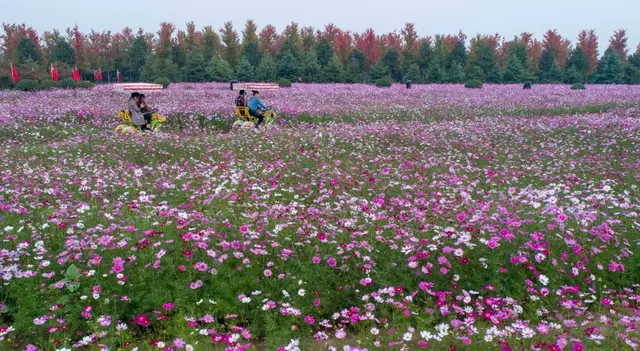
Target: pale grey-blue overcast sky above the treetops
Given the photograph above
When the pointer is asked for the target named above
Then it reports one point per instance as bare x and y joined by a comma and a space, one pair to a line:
506, 17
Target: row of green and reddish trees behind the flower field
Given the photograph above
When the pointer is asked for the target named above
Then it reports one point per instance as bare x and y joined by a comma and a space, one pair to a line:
328, 55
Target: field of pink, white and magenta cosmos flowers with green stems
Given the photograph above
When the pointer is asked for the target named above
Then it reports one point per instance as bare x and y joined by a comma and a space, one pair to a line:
434, 218
